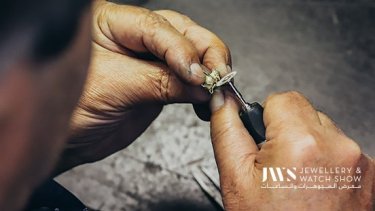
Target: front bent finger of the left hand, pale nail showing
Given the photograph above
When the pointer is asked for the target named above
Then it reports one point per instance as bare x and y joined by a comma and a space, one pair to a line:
151, 32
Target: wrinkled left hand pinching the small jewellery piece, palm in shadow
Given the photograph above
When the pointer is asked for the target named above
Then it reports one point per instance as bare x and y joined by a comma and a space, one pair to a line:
125, 90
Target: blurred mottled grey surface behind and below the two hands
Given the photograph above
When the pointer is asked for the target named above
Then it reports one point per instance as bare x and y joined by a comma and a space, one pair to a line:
324, 49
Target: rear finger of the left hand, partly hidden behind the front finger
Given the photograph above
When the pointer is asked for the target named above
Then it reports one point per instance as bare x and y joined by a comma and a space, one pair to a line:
211, 49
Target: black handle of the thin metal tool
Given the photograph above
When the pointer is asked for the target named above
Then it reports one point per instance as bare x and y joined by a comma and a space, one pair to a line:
252, 118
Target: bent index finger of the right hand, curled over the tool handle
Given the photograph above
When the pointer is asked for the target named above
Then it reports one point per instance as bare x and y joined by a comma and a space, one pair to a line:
288, 111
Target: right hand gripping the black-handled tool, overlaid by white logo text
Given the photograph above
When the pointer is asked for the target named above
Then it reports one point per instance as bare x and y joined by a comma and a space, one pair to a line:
297, 136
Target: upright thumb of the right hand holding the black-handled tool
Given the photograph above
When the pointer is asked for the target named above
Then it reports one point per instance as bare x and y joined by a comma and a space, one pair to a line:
231, 142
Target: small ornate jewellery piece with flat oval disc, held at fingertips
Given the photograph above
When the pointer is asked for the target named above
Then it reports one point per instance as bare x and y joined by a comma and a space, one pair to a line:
213, 80
